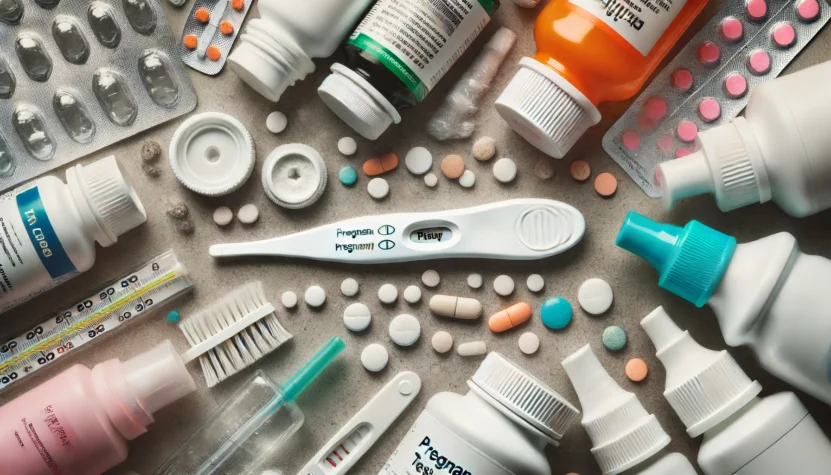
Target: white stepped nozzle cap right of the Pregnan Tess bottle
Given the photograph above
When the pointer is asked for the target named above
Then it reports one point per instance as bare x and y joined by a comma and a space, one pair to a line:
622, 432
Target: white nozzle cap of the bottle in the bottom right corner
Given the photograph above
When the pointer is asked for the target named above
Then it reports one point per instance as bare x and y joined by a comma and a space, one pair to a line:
703, 386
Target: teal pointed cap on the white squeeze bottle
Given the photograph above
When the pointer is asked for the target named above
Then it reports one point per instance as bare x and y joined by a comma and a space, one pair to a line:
691, 260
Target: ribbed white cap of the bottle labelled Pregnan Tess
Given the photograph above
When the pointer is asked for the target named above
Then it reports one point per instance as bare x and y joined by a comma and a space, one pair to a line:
524, 396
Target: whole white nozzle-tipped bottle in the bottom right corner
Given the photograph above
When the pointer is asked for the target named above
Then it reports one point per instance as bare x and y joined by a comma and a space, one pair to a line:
743, 434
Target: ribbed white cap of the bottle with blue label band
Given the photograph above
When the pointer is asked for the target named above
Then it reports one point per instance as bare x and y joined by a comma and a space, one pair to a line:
106, 198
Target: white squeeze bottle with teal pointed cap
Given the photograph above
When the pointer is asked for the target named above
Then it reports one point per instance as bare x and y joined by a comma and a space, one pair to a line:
766, 294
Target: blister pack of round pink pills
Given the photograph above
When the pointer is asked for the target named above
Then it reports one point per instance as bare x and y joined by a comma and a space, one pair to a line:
746, 44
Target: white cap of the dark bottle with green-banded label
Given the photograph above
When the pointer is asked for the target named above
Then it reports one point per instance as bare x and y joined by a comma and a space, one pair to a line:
357, 102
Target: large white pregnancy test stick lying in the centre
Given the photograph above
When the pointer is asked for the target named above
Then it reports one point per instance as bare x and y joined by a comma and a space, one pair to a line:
522, 229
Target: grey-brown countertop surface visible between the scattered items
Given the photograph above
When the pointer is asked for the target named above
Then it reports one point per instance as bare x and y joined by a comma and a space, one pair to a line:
345, 387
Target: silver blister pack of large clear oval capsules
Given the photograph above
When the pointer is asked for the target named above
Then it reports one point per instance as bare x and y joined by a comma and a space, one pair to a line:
78, 75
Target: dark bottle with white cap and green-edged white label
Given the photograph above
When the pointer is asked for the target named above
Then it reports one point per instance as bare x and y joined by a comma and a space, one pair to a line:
392, 64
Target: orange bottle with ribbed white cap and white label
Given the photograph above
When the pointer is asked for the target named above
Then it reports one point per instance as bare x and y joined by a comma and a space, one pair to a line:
588, 52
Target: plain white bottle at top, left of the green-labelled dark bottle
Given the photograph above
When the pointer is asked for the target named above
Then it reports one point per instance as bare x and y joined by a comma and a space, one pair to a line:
277, 49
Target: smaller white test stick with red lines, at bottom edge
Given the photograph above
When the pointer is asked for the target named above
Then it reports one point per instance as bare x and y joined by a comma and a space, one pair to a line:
355, 438
